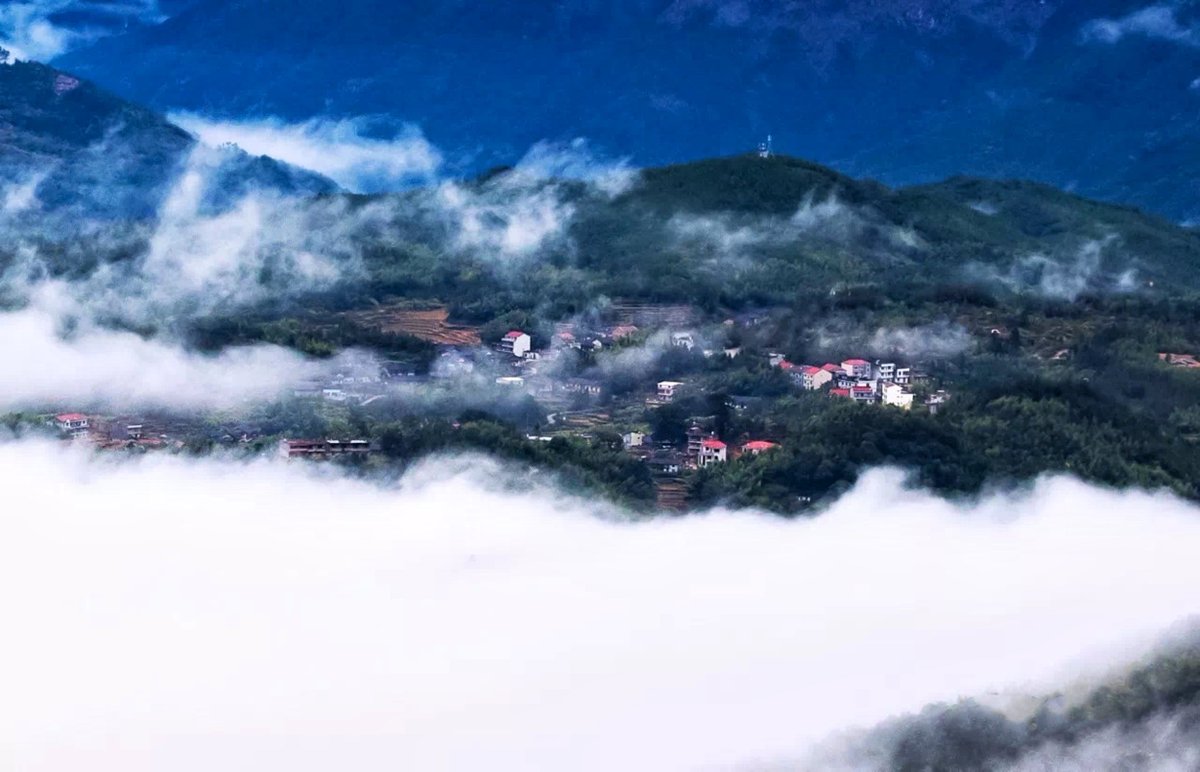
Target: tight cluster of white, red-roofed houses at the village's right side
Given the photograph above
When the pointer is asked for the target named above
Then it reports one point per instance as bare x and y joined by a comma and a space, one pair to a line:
860, 380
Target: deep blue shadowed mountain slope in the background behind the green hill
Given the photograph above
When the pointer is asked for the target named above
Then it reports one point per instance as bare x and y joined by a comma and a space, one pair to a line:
902, 91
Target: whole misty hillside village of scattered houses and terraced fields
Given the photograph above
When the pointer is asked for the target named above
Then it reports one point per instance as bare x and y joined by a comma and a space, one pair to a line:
658, 384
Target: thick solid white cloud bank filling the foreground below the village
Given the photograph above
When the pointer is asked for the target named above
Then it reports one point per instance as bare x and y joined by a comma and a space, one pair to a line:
208, 617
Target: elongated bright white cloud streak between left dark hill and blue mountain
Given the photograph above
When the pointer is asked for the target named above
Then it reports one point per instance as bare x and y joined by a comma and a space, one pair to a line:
343, 149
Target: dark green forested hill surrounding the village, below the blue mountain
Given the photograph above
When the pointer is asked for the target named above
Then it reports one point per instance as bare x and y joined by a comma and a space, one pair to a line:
1040, 313
